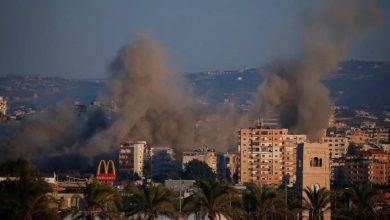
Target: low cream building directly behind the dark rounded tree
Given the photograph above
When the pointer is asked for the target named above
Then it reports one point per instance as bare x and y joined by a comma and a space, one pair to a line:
204, 154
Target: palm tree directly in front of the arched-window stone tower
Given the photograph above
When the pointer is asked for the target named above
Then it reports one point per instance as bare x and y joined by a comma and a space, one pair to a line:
317, 201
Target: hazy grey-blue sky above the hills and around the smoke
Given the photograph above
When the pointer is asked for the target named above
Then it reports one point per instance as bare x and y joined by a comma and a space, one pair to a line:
78, 38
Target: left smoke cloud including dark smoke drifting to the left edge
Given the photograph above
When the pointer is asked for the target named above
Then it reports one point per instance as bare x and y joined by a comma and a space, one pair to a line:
153, 103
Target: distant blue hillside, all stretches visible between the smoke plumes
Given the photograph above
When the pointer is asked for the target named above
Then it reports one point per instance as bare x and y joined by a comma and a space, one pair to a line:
355, 83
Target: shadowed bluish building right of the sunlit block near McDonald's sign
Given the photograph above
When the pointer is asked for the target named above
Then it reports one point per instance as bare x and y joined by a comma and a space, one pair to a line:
163, 161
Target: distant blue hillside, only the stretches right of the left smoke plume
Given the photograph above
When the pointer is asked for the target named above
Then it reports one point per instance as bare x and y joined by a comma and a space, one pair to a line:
355, 83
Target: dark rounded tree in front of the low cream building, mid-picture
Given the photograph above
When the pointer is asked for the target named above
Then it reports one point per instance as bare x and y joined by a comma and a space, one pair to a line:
199, 171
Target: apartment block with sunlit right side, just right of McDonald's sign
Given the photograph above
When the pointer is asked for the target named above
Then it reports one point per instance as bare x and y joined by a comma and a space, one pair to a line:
132, 156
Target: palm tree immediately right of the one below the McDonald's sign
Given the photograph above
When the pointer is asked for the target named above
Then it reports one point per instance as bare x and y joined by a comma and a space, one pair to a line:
151, 201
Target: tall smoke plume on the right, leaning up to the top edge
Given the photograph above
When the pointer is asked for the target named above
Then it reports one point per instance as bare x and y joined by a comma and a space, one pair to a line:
293, 89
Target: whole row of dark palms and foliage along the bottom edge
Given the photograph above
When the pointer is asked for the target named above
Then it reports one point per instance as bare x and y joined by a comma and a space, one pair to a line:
26, 195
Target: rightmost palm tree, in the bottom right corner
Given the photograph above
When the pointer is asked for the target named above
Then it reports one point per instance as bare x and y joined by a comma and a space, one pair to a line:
363, 201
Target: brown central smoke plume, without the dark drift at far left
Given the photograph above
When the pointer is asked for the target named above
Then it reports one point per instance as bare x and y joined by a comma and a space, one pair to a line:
156, 105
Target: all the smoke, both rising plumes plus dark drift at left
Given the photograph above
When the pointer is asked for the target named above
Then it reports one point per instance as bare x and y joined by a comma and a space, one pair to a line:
156, 104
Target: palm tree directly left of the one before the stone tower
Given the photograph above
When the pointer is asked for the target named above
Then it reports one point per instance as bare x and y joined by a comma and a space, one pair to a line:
263, 202
